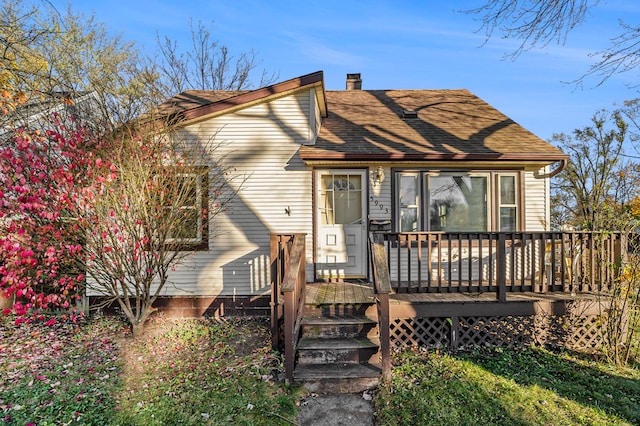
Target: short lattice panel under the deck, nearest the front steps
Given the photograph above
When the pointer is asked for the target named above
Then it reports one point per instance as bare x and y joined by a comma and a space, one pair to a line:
427, 332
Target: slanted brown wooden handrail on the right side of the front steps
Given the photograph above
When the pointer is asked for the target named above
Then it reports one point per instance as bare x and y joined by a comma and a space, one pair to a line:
381, 288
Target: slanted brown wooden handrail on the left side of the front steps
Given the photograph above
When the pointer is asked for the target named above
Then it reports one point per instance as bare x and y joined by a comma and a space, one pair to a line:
293, 288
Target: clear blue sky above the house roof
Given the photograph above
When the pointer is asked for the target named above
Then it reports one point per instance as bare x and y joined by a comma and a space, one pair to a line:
396, 45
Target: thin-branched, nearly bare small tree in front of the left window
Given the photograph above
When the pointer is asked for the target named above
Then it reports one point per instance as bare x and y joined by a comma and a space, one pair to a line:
153, 211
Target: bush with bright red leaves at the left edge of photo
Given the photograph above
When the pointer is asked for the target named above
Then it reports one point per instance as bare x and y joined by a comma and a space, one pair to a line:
47, 178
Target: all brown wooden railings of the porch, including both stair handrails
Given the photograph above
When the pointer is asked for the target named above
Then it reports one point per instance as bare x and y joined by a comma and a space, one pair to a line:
500, 262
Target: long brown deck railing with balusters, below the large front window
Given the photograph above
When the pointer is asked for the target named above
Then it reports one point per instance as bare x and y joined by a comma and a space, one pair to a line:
502, 262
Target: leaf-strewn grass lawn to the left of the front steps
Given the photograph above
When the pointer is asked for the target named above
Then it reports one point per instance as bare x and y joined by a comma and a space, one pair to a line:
182, 372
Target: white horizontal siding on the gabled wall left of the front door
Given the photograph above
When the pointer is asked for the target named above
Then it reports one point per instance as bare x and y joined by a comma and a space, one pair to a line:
261, 142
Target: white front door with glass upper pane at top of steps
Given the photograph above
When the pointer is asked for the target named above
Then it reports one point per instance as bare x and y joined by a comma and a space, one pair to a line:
340, 224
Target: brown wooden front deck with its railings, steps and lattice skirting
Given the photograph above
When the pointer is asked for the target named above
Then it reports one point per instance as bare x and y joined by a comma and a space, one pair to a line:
526, 301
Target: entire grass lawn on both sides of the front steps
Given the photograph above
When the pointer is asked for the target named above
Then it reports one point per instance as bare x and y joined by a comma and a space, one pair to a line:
192, 372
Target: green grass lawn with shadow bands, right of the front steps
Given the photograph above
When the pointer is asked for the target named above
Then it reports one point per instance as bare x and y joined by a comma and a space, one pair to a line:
504, 387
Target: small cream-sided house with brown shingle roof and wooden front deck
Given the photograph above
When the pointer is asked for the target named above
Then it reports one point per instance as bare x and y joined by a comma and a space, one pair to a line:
460, 190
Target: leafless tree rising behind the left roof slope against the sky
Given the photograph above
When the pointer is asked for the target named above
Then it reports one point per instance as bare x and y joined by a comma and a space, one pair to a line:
207, 65
